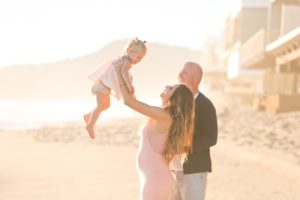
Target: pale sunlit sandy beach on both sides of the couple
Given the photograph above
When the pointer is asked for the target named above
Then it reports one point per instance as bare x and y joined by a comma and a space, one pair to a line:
256, 158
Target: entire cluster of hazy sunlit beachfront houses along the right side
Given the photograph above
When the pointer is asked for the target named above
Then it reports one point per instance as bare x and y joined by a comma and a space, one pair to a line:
265, 59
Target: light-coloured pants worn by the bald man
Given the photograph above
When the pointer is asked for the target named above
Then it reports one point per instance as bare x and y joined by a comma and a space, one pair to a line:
189, 186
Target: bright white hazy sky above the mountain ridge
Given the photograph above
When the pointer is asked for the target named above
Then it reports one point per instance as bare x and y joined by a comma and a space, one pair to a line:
36, 31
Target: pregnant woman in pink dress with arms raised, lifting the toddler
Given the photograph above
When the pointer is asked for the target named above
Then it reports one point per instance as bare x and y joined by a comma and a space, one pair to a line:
166, 135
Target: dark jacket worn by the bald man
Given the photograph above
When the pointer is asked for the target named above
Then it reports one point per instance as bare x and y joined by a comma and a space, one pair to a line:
205, 136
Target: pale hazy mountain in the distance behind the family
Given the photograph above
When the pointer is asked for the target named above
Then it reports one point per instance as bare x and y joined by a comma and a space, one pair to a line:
67, 79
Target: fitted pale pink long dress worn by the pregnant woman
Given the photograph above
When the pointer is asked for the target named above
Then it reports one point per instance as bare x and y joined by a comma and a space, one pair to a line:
156, 181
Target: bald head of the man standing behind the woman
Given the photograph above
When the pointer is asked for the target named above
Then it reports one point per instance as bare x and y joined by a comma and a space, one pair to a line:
191, 75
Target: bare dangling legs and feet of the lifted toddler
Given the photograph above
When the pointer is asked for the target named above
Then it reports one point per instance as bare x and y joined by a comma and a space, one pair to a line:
103, 103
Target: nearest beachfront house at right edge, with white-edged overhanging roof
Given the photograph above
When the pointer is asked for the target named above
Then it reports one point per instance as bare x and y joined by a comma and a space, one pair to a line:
282, 82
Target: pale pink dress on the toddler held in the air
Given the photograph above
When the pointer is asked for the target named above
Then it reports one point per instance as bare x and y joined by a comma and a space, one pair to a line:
107, 75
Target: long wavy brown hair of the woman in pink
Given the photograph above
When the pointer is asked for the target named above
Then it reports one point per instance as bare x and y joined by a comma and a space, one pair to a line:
181, 130
